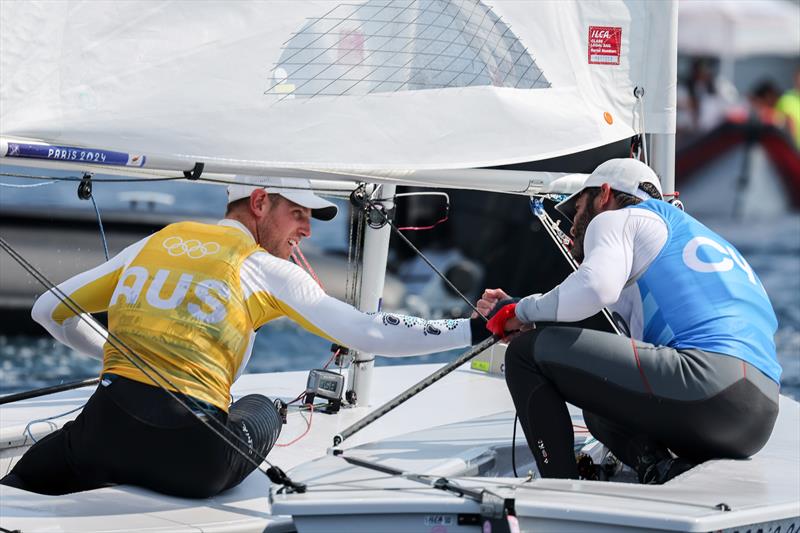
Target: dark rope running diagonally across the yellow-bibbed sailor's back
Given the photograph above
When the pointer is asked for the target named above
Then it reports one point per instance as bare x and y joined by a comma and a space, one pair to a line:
274, 473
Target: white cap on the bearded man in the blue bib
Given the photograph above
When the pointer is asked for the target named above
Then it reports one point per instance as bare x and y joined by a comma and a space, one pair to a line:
626, 175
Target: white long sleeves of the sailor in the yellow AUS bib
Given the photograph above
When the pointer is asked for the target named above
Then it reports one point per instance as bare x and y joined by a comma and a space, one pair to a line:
285, 290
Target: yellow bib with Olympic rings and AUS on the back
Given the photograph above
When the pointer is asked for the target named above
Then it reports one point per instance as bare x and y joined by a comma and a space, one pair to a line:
179, 306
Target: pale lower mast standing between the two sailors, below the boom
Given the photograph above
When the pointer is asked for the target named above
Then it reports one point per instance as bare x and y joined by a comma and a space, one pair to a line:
376, 251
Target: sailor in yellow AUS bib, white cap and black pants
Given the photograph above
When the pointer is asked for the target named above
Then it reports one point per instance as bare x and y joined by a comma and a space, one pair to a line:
187, 300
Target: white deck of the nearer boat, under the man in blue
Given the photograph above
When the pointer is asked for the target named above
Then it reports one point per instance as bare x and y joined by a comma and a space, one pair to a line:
342, 497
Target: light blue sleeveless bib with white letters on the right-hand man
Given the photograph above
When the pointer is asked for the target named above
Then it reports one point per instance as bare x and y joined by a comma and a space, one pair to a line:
701, 293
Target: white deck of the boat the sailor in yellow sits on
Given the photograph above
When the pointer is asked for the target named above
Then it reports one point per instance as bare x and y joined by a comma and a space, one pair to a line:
246, 507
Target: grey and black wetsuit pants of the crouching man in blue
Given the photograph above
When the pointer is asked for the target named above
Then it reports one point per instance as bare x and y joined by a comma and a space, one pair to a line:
637, 398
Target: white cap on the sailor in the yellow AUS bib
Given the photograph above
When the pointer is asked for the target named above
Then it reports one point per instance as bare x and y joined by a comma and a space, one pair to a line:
298, 190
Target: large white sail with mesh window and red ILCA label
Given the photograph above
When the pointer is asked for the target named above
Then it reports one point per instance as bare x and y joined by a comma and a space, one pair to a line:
371, 86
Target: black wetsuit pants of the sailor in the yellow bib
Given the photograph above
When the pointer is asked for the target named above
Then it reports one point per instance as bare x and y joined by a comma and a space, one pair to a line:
134, 433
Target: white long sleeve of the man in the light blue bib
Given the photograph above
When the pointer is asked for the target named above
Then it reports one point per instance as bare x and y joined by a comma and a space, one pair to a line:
618, 247
